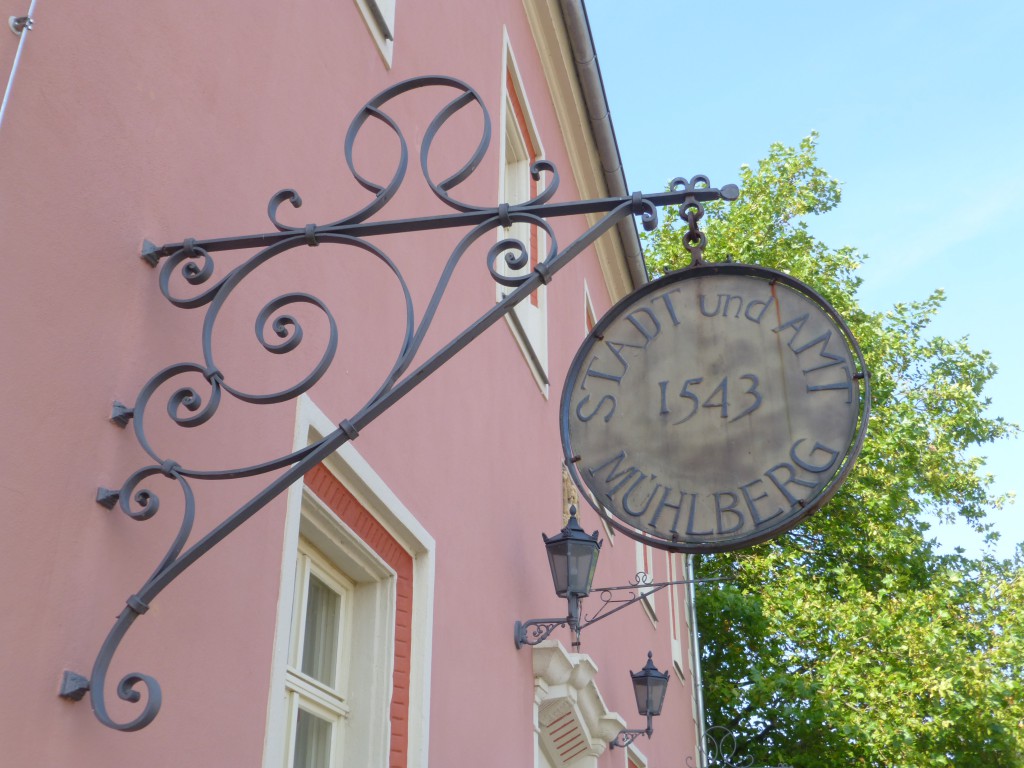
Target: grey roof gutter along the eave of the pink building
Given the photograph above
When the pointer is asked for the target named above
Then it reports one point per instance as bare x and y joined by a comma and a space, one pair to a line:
589, 74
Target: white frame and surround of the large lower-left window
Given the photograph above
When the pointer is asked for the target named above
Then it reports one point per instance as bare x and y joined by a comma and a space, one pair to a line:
309, 519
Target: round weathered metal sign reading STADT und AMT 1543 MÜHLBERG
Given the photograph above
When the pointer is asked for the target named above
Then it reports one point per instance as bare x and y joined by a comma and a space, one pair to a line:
714, 409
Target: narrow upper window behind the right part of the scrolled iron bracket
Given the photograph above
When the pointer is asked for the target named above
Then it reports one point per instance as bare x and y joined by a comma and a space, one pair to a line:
521, 150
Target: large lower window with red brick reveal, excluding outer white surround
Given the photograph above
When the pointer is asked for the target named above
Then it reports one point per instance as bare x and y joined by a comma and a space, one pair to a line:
351, 601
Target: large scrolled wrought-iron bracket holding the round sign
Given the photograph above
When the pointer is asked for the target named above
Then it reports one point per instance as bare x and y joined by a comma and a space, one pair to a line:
188, 280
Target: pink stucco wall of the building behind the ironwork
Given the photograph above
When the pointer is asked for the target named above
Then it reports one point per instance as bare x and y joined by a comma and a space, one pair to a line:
173, 120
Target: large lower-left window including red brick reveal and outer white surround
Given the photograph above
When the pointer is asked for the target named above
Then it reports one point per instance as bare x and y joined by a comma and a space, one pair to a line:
351, 681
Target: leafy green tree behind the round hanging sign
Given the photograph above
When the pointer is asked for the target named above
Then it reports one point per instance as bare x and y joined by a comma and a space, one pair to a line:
851, 642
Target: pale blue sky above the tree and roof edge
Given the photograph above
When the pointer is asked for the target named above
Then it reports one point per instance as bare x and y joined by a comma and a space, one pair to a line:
920, 107
